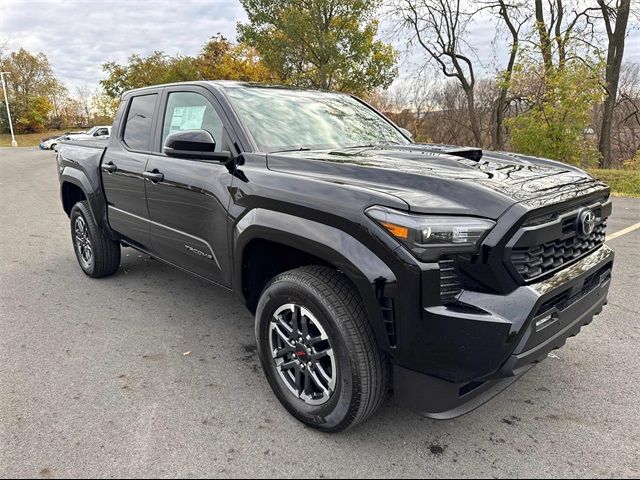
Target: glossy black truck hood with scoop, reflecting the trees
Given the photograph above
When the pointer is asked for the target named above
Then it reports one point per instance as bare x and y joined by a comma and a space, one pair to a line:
444, 179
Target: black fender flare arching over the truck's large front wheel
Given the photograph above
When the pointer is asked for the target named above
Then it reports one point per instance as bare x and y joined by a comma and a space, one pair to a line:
370, 275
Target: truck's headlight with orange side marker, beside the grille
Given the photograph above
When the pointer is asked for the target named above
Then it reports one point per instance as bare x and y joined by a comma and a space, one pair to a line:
430, 236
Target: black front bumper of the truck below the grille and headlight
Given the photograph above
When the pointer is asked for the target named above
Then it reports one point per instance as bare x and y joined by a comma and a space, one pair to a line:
470, 355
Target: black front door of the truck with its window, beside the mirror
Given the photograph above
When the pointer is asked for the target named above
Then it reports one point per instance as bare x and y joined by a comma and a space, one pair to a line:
188, 207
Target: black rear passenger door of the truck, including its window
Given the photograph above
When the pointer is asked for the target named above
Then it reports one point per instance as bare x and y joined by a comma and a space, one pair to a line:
123, 168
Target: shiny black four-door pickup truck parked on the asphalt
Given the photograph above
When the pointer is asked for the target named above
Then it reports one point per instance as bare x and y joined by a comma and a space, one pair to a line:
371, 262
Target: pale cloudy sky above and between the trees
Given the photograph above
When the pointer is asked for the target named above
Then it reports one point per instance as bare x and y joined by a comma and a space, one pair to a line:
79, 36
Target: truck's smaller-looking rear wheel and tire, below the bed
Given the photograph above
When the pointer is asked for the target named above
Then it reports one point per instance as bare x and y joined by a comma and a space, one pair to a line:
97, 255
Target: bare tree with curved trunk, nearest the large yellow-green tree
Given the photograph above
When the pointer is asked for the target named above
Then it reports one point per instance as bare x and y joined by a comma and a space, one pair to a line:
439, 27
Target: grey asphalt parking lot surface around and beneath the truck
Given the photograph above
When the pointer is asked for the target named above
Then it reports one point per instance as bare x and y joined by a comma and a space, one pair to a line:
94, 380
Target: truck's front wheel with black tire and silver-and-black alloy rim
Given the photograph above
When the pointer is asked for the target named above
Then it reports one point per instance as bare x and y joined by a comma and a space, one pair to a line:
350, 356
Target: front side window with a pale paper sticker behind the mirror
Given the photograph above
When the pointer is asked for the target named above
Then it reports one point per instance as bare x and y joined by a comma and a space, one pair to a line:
191, 111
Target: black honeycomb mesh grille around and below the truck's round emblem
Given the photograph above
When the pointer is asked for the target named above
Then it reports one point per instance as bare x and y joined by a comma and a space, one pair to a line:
533, 262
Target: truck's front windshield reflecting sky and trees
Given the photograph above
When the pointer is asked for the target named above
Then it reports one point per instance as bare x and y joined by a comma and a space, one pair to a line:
280, 119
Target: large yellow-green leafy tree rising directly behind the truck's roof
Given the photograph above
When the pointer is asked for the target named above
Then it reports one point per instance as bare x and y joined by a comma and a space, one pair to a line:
323, 44
